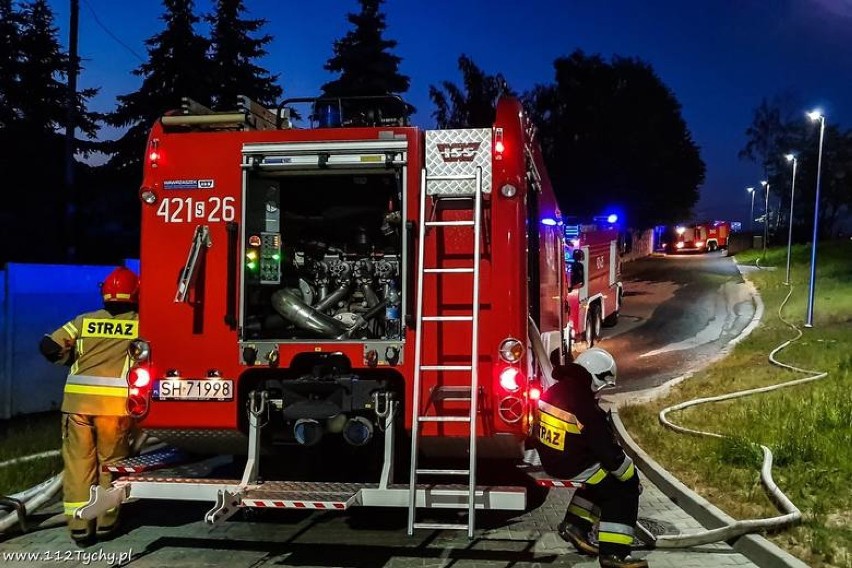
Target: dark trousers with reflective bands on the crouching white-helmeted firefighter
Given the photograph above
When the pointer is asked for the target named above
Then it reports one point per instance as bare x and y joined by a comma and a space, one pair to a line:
611, 504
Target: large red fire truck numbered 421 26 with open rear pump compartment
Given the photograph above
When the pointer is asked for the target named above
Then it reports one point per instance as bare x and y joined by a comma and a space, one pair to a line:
338, 290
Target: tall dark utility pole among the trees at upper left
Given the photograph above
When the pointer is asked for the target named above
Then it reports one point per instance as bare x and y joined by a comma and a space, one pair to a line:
70, 185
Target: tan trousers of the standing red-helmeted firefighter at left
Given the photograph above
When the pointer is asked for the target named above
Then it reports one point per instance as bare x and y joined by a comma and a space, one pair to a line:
88, 442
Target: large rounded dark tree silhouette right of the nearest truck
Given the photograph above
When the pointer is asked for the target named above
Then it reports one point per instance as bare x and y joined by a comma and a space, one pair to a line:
613, 137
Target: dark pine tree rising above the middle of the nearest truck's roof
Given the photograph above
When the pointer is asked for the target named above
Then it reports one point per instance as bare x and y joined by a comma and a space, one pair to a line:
362, 59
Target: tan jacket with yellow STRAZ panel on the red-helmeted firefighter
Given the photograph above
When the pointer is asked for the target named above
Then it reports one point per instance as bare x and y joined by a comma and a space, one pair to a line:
97, 342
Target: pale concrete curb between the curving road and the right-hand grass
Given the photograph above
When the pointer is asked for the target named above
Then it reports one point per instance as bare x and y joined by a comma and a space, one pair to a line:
754, 547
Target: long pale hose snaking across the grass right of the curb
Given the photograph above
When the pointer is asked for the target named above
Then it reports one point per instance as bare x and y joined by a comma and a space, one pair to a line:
791, 513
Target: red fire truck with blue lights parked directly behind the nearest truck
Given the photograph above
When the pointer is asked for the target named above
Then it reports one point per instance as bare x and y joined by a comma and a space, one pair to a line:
595, 289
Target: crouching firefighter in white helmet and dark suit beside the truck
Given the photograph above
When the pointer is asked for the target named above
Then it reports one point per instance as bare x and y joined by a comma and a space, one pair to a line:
575, 440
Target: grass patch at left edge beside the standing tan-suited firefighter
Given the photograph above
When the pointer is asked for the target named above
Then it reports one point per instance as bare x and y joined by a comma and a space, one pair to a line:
25, 435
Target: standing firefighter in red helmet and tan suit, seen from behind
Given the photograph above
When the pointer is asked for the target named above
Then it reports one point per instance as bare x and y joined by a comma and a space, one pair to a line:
95, 425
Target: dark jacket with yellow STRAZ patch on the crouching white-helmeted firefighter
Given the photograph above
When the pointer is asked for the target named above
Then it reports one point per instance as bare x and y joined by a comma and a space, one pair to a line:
573, 435
